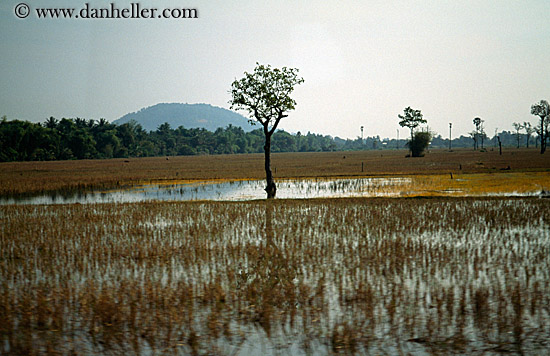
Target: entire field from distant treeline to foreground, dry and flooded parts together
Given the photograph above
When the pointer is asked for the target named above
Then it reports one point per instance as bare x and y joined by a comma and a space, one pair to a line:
363, 253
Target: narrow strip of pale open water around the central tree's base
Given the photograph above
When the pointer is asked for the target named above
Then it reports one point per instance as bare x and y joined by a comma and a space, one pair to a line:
226, 191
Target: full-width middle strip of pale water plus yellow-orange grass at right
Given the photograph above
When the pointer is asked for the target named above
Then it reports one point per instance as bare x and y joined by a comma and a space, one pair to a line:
519, 184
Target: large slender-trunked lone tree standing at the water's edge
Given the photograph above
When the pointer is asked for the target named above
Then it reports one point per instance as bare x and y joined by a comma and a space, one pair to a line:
265, 94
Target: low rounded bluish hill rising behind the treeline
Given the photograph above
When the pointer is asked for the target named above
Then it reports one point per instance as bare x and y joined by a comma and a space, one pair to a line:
186, 115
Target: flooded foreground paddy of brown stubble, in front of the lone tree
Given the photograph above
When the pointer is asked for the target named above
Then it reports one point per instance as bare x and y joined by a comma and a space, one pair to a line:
296, 277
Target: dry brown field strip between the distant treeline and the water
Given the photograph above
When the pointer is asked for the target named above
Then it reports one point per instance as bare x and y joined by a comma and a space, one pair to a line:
36, 177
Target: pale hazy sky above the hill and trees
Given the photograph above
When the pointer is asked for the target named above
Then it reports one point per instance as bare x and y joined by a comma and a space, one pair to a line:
363, 61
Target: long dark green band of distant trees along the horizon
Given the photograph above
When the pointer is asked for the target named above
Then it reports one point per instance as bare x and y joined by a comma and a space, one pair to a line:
91, 139
